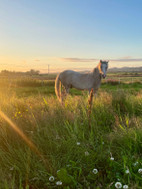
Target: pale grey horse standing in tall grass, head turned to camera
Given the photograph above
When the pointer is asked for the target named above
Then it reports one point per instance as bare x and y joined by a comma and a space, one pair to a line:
81, 81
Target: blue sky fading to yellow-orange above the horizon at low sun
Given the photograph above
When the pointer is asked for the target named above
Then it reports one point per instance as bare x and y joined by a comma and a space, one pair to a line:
69, 34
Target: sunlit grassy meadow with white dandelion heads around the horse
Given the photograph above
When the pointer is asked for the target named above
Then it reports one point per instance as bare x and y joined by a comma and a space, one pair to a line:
44, 144
